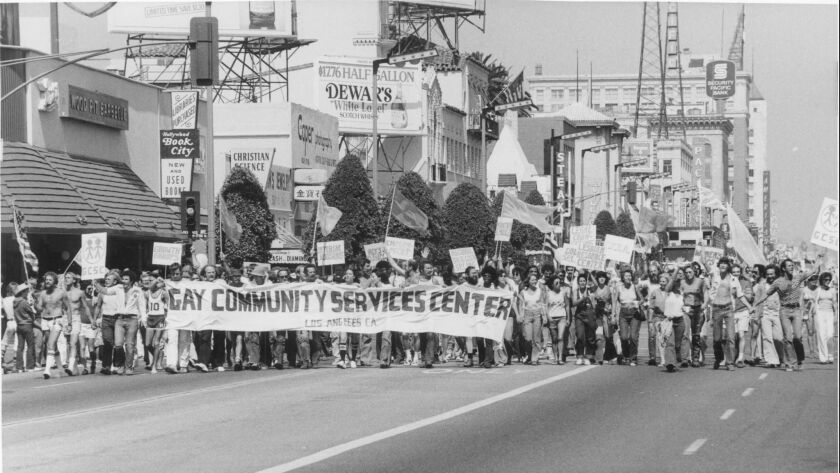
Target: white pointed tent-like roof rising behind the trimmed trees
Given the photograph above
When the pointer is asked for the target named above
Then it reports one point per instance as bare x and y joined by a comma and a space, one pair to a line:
507, 157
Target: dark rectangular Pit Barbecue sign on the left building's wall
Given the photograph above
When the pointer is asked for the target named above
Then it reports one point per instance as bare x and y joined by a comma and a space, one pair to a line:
94, 107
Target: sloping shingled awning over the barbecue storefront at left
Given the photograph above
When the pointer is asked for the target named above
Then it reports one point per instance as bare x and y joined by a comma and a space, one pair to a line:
62, 194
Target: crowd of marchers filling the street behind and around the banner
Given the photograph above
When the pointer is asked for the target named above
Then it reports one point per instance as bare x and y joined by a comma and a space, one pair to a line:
773, 316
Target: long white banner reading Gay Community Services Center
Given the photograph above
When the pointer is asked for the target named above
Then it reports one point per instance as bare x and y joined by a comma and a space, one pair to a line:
461, 311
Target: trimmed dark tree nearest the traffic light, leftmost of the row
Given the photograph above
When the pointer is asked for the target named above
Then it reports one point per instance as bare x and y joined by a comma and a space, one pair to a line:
246, 200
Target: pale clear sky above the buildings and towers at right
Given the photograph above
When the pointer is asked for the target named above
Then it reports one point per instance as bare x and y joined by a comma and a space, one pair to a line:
792, 50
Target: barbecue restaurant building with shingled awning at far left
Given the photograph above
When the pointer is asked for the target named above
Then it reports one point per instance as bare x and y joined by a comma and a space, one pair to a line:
80, 156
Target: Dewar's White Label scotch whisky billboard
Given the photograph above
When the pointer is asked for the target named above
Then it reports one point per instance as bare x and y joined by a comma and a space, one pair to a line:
343, 89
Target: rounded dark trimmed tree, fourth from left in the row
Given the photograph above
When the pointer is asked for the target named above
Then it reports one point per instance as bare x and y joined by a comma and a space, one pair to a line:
469, 220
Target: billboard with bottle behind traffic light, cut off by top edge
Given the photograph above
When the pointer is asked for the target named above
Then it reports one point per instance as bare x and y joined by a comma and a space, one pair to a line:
236, 19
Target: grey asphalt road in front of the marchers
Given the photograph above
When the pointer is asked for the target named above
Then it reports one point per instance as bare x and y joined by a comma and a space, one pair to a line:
517, 418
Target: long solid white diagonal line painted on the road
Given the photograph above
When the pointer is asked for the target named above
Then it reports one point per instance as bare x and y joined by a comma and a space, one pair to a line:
355, 444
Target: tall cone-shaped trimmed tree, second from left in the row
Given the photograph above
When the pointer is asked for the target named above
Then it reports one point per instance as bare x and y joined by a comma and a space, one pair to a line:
349, 190
